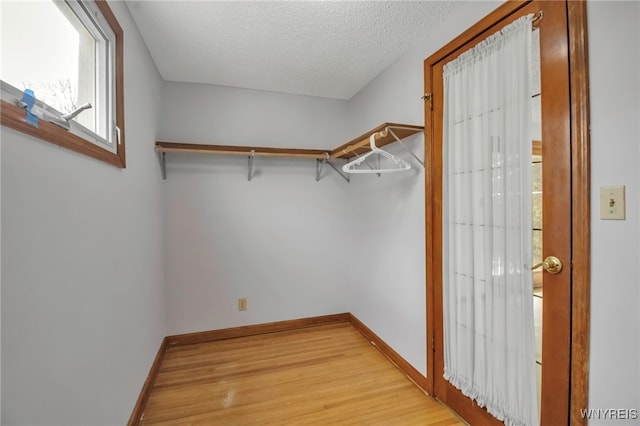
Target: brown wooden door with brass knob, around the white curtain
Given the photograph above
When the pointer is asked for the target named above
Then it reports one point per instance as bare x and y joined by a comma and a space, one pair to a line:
551, 211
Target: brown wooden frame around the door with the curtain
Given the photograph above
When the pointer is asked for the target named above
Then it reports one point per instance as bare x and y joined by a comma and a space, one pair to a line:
580, 200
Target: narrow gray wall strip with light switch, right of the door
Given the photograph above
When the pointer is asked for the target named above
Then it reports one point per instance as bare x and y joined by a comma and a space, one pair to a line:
614, 68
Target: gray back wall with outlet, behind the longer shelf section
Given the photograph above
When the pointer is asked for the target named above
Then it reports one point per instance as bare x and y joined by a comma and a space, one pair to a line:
280, 240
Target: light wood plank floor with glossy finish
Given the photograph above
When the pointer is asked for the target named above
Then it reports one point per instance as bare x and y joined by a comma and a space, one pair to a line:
322, 375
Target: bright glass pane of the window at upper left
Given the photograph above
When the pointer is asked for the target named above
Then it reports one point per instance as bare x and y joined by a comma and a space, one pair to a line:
46, 48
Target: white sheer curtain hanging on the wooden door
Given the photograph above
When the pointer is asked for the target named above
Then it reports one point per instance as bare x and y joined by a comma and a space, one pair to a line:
489, 337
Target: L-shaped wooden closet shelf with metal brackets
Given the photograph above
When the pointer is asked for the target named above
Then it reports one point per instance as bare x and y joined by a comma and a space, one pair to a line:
353, 148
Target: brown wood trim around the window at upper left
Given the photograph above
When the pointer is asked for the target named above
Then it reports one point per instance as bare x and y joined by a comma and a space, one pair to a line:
14, 117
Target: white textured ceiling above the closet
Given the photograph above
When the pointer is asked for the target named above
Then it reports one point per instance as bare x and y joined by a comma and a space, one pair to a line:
318, 48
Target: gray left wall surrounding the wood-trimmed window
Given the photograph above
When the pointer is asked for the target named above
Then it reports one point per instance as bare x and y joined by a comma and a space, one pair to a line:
83, 302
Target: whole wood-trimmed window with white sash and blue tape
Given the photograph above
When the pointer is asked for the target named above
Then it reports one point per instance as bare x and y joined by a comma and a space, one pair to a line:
69, 54
